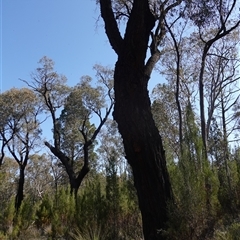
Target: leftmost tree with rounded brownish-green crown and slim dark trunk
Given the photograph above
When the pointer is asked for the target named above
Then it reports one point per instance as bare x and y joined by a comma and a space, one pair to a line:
20, 129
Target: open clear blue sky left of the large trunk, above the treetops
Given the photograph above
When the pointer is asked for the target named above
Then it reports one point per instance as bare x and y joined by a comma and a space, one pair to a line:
66, 31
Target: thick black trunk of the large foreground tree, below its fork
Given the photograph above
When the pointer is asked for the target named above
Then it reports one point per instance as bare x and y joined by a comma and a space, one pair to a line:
143, 146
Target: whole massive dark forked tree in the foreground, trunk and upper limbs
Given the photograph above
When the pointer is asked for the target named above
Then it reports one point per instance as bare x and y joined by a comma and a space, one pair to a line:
132, 111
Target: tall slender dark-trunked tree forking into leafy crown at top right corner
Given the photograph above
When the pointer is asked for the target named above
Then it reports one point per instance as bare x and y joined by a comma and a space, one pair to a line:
222, 17
